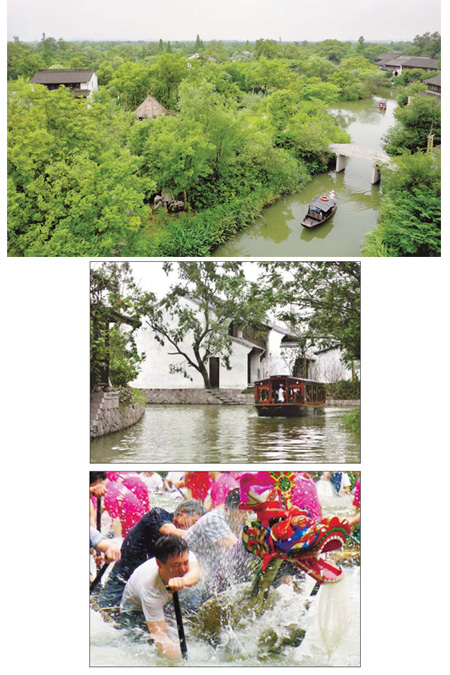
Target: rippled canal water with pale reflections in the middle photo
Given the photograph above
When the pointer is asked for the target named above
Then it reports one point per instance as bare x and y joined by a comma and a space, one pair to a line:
228, 434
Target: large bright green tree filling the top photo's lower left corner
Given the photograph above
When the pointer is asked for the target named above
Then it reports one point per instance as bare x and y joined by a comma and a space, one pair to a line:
73, 190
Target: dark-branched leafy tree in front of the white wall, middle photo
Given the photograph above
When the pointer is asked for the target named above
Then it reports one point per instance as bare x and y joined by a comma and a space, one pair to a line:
197, 330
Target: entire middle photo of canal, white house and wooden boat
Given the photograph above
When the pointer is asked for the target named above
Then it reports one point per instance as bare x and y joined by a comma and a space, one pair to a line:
225, 362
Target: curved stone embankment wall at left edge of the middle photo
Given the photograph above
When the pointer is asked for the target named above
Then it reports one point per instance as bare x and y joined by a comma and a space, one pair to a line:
107, 415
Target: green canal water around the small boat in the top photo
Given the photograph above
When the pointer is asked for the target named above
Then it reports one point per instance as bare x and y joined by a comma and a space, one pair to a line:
278, 232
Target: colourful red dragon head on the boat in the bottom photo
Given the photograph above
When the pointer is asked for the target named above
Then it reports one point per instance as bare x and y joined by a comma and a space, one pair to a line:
280, 530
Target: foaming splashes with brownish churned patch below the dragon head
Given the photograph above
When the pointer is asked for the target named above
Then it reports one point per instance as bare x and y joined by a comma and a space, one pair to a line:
296, 629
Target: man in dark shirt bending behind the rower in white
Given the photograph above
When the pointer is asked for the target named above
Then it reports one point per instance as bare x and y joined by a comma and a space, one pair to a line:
140, 543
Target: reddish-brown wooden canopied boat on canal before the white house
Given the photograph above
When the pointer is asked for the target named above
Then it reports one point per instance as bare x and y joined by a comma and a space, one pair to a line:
284, 396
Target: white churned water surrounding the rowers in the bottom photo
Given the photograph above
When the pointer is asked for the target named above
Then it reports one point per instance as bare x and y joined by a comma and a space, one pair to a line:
238, 646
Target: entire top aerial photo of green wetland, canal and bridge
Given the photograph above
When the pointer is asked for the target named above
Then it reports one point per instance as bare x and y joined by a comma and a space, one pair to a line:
318, 144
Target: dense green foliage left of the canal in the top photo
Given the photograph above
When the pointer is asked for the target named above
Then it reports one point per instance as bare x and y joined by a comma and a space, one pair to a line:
248, 123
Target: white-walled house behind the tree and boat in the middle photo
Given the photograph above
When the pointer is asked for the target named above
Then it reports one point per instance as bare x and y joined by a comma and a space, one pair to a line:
256, 353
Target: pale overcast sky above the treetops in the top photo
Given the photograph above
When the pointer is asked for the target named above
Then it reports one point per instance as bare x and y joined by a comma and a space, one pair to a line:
222, 19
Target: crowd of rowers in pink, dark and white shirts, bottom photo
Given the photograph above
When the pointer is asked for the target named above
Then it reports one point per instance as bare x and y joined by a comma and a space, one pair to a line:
197, 547
